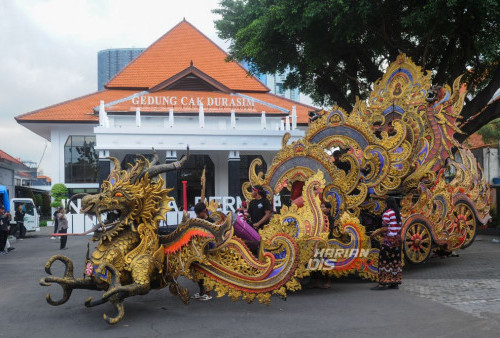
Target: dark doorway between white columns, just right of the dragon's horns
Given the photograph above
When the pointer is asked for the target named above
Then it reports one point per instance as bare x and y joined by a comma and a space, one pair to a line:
191, 172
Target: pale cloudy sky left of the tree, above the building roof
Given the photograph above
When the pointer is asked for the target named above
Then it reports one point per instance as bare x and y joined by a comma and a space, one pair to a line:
49, 53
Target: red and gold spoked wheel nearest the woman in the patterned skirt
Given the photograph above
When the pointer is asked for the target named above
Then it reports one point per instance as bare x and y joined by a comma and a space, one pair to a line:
417, 244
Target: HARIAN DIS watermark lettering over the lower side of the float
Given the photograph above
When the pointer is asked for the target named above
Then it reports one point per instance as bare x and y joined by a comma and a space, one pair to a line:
326, 259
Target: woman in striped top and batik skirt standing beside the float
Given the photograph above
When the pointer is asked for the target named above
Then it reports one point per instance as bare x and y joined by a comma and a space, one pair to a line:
389, 261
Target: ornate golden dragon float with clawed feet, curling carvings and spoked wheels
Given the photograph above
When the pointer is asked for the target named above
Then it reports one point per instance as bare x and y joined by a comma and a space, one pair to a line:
400, 141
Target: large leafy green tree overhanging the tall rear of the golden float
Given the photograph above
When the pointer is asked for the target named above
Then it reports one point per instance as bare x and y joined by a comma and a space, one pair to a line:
336, 49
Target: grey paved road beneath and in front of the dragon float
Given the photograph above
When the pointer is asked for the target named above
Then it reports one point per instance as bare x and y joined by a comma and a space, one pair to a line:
454, 297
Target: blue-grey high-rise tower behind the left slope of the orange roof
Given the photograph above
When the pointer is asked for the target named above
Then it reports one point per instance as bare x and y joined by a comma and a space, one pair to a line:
111, 61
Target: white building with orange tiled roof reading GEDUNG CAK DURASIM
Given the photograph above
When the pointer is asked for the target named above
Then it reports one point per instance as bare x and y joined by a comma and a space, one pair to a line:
180, 91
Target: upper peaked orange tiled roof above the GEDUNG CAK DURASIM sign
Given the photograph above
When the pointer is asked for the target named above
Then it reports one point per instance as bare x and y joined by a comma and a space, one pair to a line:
173, 52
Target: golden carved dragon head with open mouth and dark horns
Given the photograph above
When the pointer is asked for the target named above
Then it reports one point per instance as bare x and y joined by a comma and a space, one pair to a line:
130, 199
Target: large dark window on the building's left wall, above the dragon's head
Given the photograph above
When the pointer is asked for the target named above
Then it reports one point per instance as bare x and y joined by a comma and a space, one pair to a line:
81, 161
